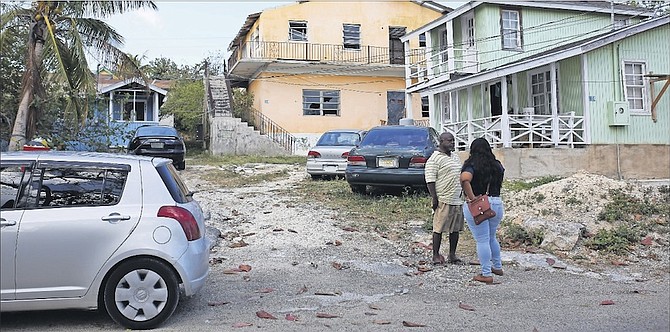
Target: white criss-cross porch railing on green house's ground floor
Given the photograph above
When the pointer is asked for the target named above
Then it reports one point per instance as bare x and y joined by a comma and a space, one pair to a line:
524, 131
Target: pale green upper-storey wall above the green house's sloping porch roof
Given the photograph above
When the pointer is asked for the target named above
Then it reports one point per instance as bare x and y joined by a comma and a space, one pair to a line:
538, 34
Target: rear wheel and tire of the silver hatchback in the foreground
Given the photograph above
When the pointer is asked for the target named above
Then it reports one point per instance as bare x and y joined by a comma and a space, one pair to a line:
134, 303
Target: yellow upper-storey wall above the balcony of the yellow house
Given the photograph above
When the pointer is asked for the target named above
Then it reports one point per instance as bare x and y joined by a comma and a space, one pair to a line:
325, 19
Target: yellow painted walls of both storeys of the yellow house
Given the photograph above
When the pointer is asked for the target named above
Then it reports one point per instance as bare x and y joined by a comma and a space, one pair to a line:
363, 99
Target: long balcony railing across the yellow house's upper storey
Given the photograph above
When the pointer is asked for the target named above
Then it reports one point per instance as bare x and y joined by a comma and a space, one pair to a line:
300, 51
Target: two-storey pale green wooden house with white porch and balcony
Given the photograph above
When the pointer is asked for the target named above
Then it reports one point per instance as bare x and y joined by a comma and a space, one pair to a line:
545, 74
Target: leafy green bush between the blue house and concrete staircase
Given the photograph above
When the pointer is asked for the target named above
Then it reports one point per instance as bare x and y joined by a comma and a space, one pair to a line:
186, 104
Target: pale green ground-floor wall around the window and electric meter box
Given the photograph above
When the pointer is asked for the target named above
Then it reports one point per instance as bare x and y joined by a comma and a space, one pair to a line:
604, 85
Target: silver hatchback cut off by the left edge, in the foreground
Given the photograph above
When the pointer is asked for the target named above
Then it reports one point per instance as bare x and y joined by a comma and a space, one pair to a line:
84, 230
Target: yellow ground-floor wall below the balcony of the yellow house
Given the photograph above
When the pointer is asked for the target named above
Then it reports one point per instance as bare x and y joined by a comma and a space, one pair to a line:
362, 101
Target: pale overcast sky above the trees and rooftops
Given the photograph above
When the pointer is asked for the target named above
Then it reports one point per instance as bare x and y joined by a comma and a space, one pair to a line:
189, 31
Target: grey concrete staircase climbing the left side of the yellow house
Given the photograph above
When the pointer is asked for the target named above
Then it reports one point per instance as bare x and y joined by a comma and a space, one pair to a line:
230, 135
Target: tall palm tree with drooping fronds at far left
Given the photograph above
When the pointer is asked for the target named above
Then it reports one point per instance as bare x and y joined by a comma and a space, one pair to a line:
60, 35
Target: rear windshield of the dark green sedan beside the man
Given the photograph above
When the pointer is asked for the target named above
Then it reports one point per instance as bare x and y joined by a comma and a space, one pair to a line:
396, 137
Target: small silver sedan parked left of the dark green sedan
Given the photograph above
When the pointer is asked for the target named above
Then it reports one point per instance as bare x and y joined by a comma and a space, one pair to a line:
329, 156
